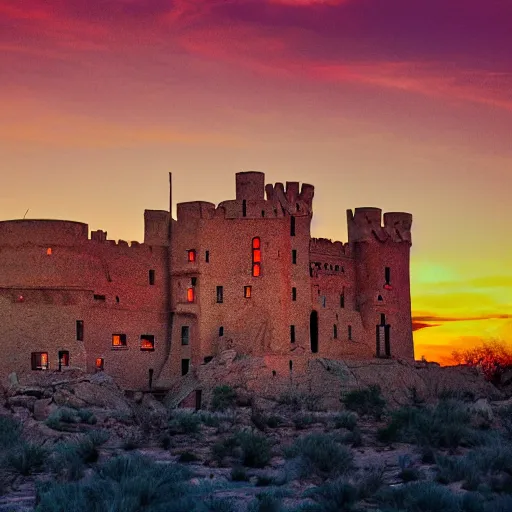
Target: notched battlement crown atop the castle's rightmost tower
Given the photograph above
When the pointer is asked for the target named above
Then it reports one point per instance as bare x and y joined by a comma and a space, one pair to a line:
365, 225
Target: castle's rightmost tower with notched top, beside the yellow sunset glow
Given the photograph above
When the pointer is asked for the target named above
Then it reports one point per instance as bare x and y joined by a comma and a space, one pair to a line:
383, 294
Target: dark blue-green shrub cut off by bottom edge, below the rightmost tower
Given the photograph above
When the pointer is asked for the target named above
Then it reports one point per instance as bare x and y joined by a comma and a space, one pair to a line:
420, 497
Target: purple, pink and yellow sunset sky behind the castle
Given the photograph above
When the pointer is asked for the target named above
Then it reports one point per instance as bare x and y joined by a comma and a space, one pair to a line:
401, 104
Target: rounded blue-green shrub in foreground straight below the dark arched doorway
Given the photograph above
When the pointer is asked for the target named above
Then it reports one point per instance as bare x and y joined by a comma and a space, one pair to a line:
320, 454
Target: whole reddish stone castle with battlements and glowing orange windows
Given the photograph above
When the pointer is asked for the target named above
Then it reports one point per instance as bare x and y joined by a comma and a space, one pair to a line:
243, 275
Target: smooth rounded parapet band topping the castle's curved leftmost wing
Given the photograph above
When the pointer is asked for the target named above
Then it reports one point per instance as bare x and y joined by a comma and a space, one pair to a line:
43, 232
